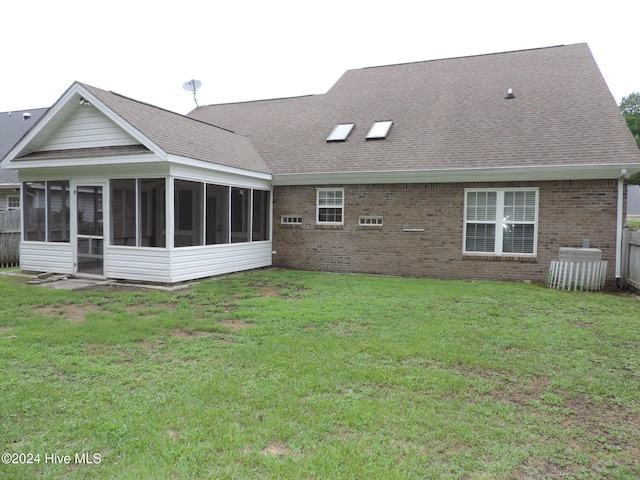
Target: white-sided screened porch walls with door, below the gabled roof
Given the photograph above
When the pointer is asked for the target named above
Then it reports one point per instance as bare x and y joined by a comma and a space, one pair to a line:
160, 229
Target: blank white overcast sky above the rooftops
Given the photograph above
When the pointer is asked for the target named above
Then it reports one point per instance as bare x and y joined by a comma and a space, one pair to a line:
248, 50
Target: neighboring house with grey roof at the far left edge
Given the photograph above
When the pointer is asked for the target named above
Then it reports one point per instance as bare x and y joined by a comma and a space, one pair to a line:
13, 125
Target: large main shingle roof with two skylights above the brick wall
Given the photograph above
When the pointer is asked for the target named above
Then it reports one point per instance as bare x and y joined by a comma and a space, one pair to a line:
447, 114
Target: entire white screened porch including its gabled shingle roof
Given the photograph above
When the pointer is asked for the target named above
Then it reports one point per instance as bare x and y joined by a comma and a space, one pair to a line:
116, 188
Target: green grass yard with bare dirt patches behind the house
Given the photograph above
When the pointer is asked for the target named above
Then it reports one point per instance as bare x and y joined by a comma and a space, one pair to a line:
280, 374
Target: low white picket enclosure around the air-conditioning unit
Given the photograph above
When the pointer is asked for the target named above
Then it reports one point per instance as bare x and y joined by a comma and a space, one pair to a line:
573, 275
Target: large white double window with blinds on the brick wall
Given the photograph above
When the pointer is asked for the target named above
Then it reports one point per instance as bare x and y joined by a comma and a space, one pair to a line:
502, 222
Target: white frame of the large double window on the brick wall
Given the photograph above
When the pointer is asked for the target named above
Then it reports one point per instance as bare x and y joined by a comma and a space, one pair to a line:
500, 220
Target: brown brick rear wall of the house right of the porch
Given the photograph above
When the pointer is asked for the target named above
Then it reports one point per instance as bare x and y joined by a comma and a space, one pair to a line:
569, 211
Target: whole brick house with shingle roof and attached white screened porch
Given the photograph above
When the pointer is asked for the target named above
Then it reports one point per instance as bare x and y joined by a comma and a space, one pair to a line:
473, 167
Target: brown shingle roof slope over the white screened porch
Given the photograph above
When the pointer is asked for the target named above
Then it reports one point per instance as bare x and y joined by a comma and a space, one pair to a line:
179, 135
